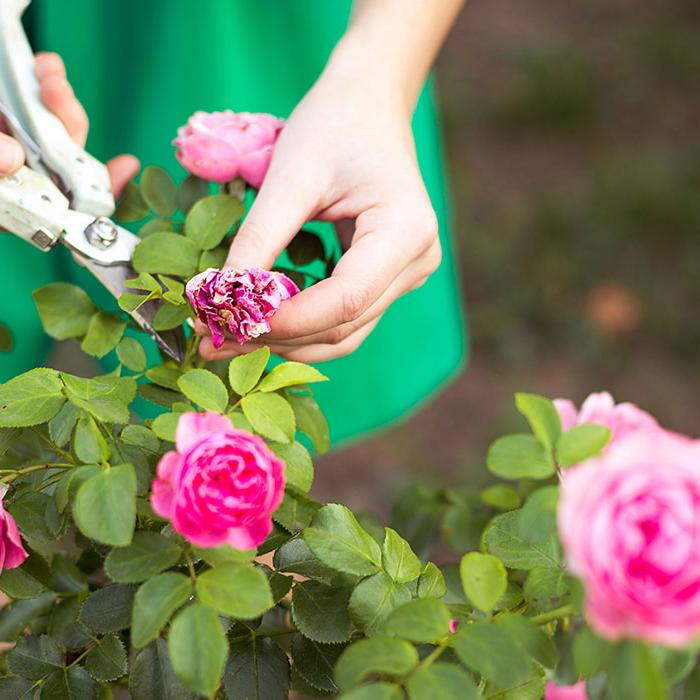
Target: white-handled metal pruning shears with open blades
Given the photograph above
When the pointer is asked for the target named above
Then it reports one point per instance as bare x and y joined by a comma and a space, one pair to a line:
63, 195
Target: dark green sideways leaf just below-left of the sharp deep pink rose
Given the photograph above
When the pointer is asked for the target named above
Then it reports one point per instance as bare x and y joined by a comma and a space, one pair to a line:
147, 555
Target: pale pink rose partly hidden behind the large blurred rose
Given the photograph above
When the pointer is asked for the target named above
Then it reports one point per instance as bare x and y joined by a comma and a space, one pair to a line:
622, 419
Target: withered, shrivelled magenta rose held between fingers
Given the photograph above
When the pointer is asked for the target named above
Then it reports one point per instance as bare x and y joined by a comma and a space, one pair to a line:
238, 302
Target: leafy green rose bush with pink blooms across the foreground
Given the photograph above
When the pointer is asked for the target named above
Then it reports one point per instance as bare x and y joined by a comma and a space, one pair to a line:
159, 538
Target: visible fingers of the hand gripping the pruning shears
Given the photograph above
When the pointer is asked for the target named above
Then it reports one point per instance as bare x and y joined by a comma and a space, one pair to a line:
57, 94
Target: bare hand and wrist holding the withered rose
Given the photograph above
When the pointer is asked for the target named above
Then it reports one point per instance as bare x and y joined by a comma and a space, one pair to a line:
346, 155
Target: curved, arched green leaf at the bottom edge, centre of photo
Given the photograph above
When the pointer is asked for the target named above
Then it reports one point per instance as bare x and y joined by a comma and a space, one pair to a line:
378, 655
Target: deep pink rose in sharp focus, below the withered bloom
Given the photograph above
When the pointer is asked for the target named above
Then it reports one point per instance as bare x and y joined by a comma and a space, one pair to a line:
221, 486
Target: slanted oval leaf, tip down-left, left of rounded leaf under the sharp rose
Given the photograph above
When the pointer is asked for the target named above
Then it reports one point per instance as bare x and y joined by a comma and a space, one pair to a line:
155, 602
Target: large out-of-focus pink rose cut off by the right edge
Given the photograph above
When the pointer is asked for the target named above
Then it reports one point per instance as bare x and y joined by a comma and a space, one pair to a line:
629, 521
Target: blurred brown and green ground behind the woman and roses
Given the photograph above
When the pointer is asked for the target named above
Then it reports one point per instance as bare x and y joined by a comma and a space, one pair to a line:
571, 133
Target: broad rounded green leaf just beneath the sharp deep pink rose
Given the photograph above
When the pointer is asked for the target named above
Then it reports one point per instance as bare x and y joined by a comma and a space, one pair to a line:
236, 590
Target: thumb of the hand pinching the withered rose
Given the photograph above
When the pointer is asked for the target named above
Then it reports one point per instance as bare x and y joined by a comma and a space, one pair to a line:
280, 209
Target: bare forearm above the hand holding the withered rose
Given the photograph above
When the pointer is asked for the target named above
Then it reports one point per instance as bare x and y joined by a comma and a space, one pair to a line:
391, 44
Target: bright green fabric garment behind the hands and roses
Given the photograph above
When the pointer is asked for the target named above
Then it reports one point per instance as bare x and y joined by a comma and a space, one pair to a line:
141, 68
